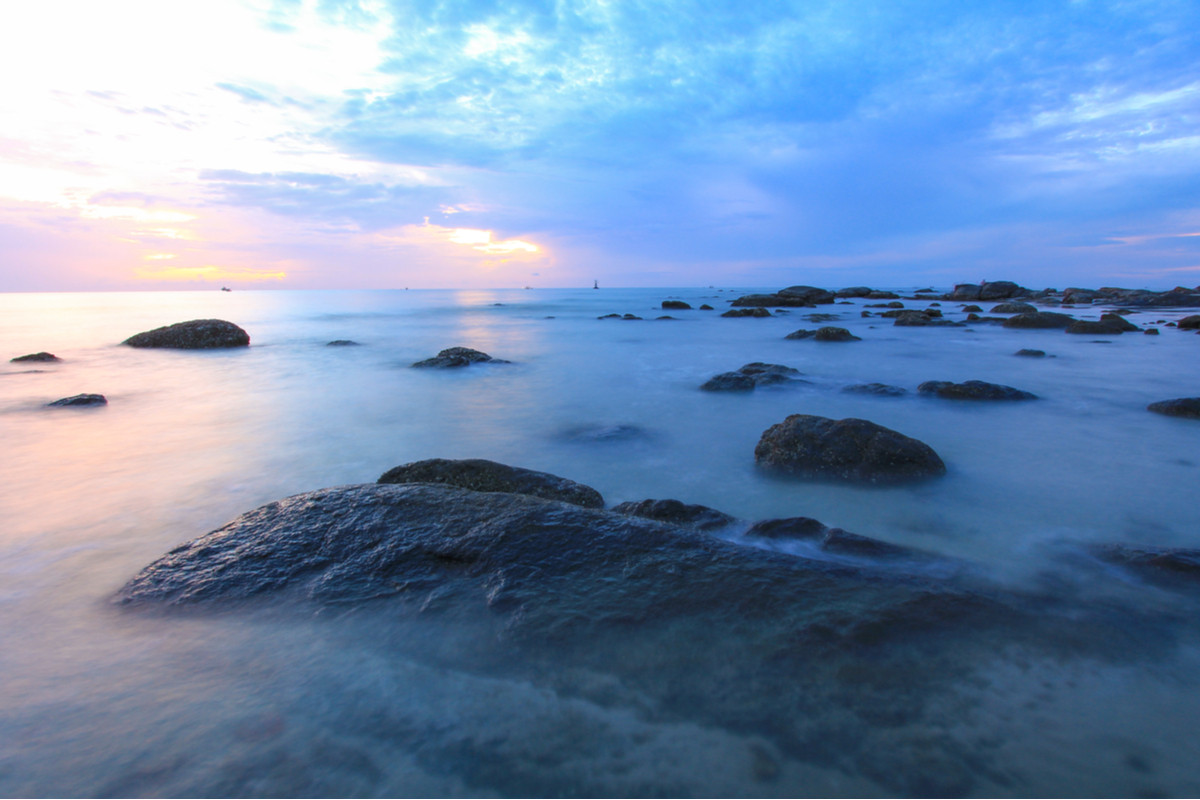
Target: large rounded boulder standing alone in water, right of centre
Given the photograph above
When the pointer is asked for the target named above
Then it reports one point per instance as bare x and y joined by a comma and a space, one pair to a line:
854, 450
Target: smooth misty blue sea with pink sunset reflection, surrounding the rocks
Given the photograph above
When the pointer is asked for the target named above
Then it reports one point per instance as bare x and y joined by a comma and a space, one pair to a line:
99, 701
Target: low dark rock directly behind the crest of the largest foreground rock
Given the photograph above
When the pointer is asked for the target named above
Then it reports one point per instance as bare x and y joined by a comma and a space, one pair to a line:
483, 476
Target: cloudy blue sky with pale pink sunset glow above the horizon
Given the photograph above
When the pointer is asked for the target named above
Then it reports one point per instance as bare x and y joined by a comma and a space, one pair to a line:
363, 145
